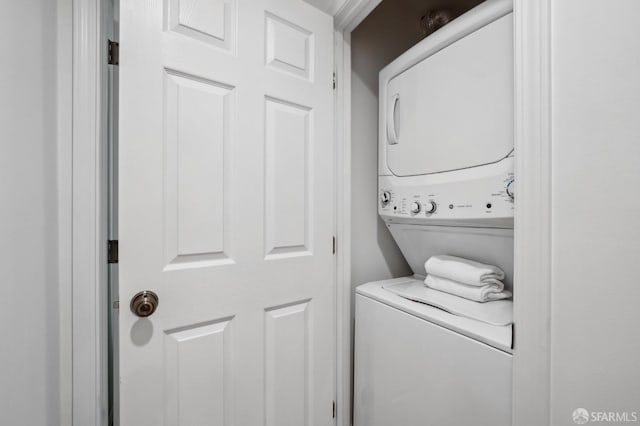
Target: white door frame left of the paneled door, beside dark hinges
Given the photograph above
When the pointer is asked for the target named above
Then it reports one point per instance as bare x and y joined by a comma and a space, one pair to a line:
83, 199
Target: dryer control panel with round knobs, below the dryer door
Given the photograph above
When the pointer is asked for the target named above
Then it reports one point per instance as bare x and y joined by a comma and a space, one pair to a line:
481, 201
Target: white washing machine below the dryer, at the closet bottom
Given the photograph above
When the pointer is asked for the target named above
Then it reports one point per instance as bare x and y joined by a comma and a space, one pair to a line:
417, 365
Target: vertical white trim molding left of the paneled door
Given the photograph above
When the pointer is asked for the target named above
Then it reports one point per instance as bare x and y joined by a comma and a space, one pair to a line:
88, 272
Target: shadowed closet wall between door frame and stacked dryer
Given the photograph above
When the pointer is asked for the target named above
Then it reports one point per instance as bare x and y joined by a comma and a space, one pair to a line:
386, 33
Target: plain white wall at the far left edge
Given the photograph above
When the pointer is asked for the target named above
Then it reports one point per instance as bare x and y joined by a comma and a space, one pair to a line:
29, 313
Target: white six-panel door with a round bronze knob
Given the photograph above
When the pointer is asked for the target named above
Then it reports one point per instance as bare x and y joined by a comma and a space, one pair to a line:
226, 213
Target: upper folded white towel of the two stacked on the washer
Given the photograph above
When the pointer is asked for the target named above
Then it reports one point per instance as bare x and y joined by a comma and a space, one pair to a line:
463, 270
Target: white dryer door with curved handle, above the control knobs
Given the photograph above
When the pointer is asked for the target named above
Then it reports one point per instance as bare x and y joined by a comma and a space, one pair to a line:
454, 109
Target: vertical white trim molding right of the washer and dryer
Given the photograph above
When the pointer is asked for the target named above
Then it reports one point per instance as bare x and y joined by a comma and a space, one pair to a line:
533, 262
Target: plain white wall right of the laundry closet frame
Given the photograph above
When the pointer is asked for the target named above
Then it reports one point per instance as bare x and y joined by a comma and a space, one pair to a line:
595, 347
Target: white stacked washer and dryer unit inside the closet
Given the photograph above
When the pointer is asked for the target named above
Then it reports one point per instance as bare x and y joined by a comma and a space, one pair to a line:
446, 187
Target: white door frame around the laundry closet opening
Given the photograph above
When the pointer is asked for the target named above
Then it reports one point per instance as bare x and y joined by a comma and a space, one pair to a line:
532, 314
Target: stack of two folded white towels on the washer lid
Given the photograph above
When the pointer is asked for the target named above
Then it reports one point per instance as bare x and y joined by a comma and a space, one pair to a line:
465, 278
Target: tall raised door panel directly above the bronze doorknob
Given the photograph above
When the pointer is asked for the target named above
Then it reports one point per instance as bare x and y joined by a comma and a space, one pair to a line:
198, 130
